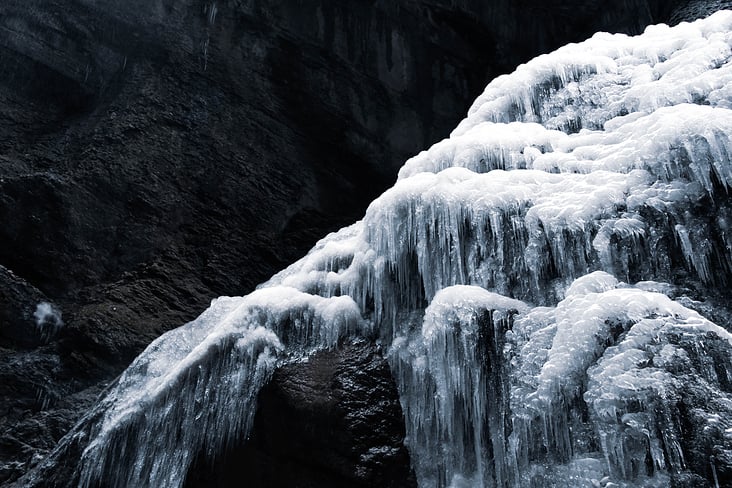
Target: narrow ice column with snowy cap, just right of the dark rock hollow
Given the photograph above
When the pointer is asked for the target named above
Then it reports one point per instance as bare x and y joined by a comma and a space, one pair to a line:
457, 414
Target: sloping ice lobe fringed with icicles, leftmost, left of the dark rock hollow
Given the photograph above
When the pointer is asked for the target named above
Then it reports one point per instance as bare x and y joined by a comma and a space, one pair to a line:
194, 389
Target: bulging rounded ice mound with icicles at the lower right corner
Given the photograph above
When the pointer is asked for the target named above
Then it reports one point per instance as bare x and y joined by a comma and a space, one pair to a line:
613, 354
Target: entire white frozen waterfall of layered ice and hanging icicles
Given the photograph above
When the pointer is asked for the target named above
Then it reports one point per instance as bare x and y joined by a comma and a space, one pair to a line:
494, 274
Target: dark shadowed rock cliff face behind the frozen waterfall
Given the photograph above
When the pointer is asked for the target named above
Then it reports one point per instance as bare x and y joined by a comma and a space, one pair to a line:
156, 154
